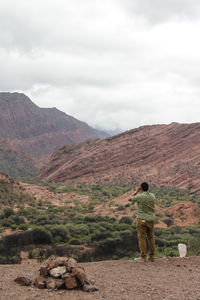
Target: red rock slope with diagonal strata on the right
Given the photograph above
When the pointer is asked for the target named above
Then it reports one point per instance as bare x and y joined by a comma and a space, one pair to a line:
161, 154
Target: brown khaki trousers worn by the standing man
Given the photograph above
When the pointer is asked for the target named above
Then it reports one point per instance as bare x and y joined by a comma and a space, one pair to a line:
146, 229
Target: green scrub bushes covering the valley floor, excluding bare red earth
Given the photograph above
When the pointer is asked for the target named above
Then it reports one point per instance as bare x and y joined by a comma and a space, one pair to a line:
74, 229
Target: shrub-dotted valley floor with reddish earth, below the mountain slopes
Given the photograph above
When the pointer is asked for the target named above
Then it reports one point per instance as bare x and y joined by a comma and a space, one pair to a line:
91, 221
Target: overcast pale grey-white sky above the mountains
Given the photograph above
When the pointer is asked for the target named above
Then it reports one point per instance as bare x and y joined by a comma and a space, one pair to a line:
115, 64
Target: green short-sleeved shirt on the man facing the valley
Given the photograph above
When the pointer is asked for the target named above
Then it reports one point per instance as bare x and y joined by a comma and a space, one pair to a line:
145, 206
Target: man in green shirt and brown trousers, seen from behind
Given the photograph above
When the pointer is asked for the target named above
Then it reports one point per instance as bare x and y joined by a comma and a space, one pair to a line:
145, 220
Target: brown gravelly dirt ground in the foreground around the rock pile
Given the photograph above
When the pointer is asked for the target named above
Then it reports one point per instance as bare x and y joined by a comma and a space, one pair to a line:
166, 278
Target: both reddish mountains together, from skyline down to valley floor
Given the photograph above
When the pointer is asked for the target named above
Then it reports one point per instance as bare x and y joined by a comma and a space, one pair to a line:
67, 149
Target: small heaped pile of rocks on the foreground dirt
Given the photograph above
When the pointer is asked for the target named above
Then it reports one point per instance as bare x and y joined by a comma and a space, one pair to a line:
60, 273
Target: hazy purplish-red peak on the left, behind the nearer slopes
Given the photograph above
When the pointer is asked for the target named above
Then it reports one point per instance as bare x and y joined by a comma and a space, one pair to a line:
39, 131
